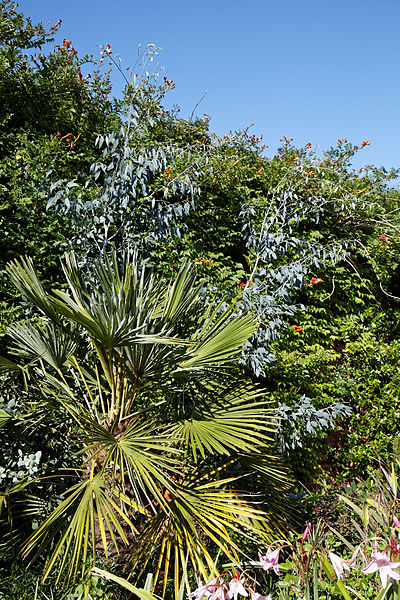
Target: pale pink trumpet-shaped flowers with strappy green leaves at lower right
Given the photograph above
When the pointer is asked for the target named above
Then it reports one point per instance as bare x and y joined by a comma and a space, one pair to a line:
374, 561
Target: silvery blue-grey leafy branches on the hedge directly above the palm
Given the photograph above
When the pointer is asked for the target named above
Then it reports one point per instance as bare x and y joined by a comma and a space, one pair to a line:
134, 194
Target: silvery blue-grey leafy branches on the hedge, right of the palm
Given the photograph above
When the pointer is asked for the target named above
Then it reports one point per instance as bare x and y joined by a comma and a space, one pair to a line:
283, 253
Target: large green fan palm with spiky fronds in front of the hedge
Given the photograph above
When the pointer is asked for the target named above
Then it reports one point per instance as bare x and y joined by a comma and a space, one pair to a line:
165, 428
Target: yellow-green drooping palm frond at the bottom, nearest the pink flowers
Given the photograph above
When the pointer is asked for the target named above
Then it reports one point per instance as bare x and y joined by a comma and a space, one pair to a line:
200, 513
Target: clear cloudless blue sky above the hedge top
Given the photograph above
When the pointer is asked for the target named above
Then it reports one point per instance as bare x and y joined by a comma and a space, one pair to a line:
312, 70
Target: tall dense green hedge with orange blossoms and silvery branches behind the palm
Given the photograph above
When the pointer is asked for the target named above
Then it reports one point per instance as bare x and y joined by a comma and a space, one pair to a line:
302, 239
